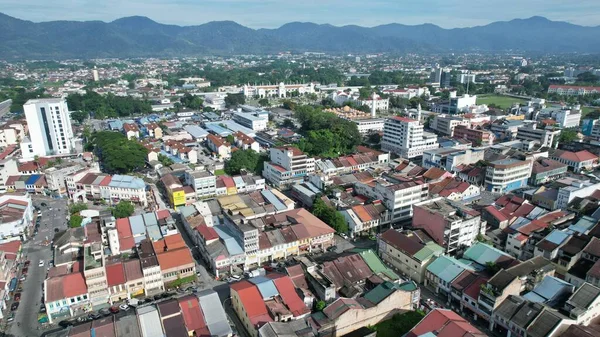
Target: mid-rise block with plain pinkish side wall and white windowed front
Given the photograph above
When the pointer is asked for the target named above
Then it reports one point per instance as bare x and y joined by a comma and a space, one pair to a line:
451, 224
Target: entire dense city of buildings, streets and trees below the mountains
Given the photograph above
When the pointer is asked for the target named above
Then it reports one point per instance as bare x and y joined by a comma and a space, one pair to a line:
301, 193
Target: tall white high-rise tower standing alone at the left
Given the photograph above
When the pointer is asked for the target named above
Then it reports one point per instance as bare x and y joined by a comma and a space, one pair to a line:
50, 131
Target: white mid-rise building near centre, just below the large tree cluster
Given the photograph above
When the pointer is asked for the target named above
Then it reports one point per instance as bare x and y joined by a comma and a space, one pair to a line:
287, 165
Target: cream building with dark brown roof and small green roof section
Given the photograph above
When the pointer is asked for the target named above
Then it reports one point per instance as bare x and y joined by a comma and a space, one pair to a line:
409, 252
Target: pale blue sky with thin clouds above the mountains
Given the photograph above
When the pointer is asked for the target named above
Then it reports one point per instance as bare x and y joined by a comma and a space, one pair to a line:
274, 13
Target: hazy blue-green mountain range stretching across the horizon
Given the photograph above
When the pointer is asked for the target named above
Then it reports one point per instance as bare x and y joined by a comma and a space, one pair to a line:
139, 36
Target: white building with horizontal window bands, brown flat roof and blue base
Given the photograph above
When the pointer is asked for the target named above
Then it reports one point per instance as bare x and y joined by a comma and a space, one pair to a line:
505, 175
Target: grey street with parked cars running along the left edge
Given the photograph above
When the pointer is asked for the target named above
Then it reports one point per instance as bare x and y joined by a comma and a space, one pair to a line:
35, 251
